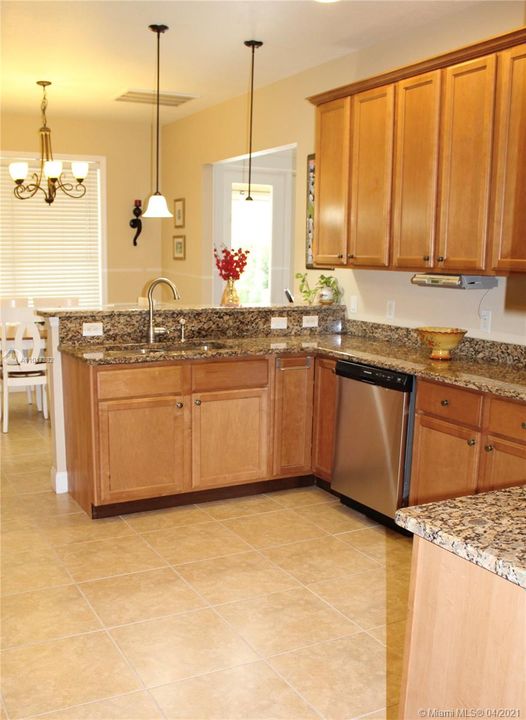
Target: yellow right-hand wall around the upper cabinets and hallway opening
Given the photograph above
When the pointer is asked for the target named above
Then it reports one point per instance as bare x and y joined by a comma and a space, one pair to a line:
283, 116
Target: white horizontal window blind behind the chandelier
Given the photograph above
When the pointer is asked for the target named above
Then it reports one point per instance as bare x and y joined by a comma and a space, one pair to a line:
51, 250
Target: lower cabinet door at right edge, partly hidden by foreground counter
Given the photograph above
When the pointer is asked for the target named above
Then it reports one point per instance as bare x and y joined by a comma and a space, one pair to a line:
503, 464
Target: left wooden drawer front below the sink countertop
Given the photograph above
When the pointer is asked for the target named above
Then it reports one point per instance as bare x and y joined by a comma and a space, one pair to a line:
139, 381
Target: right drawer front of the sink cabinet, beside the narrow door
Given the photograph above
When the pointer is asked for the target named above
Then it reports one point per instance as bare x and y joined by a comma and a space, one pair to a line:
229, 375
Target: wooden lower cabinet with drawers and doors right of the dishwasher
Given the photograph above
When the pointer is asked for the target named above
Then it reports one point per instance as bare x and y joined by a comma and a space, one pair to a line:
465, 442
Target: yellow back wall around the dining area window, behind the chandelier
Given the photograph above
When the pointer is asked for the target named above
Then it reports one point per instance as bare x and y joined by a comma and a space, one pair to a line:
127, 149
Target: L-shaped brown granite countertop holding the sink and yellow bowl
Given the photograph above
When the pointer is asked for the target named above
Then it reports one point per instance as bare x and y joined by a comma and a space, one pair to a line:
501, 379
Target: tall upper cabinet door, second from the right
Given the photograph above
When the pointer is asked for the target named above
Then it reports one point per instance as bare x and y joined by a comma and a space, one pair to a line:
466, 164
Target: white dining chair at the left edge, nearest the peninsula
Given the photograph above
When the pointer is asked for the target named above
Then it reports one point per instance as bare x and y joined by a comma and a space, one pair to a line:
23, 362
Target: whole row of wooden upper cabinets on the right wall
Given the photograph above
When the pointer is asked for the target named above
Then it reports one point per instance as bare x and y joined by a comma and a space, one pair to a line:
436, 165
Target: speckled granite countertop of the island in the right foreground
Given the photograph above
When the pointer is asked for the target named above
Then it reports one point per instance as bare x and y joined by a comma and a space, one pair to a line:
488, 529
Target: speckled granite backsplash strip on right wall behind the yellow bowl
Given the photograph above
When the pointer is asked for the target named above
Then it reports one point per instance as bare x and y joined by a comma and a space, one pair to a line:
469, 348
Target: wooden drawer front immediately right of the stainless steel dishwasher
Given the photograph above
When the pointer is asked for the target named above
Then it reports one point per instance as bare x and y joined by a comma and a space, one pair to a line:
449, 402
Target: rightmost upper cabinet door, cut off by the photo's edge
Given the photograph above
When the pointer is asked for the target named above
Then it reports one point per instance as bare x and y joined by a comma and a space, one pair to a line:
509, 229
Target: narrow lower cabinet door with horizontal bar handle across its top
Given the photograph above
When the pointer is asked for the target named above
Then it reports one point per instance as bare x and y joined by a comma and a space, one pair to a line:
293, 416
